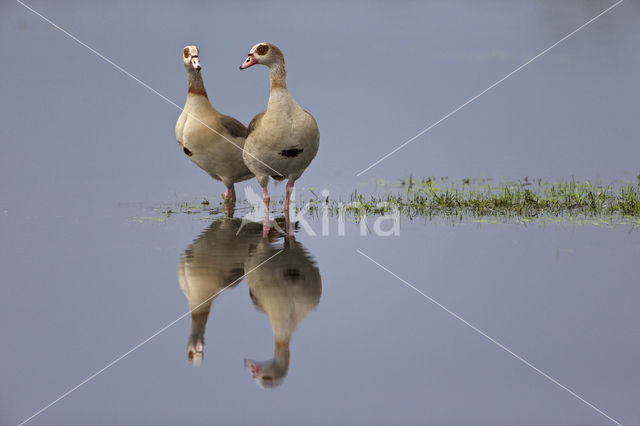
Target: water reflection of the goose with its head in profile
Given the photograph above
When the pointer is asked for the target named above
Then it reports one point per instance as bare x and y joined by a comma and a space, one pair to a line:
286, 288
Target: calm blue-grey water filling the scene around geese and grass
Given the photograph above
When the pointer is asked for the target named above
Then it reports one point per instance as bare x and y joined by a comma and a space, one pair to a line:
86, 150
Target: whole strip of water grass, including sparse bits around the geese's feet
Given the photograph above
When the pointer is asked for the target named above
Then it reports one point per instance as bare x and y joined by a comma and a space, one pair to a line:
477, 200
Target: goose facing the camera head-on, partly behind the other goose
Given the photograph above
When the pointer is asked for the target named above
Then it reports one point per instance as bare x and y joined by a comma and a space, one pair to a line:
214, 142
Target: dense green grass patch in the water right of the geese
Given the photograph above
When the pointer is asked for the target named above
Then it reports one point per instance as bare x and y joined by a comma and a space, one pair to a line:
479, 199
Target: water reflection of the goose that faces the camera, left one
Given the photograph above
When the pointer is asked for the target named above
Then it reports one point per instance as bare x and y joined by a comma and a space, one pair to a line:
211, 262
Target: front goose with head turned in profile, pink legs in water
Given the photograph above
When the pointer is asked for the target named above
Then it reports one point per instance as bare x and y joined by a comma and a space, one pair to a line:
282, 140
